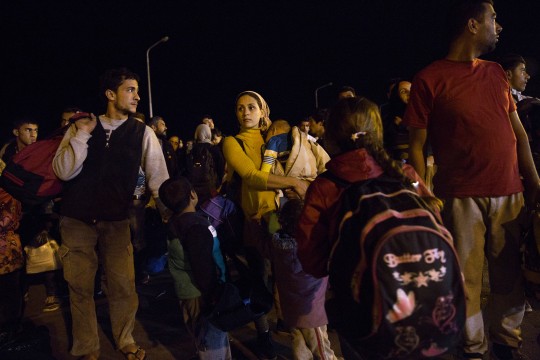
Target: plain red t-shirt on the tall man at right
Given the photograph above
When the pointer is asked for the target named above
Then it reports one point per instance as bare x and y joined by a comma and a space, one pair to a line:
465, 108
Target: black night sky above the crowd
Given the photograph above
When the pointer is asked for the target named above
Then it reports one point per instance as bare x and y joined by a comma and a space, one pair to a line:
53, 53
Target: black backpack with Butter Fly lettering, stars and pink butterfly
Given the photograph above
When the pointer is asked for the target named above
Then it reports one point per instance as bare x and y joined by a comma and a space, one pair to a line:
394, 273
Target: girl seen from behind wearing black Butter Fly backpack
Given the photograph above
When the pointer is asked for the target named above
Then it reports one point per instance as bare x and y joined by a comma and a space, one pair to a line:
371, 224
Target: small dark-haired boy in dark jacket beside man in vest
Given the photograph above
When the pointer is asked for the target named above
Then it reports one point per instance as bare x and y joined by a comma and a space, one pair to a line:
194, 261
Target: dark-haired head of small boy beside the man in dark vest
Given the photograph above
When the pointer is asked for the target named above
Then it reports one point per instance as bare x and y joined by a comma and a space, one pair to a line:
176, 194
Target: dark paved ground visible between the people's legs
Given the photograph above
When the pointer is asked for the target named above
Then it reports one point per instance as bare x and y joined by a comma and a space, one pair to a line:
160, 332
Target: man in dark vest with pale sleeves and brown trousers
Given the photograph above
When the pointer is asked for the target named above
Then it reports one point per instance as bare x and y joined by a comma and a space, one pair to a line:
99, 158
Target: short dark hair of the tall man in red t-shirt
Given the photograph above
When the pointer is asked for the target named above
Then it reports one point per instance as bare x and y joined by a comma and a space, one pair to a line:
459, 14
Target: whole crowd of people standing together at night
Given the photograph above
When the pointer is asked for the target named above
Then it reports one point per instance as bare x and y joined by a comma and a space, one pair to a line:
460, 130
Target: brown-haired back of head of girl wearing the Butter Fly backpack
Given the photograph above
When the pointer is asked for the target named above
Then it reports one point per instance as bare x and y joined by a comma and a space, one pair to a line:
354, 123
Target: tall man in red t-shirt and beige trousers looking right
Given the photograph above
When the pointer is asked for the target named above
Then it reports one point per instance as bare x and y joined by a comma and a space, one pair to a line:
464, 107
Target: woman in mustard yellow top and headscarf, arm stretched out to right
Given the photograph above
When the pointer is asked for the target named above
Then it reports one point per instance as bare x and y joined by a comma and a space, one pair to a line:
257, 195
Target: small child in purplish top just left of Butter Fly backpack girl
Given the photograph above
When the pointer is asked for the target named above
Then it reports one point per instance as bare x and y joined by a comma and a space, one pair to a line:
302, 295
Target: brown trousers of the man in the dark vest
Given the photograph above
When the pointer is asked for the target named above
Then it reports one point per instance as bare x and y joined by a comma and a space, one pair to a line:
78, 251
